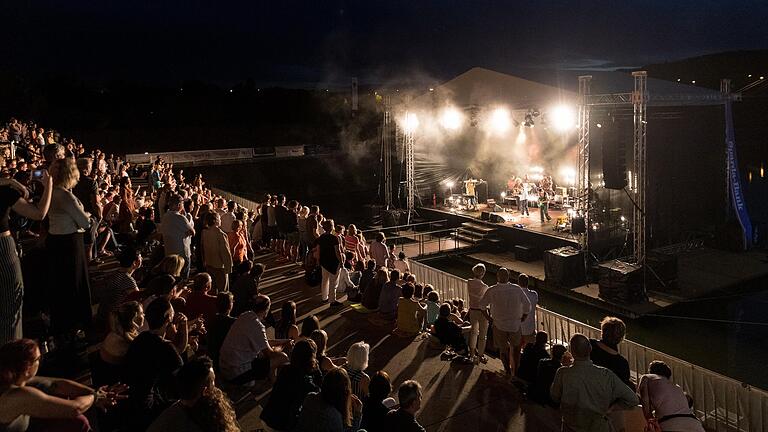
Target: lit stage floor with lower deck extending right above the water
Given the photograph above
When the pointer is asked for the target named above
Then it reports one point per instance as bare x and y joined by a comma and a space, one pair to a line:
701, 272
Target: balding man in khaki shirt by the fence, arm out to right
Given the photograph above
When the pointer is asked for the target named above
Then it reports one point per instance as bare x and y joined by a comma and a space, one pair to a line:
588, 393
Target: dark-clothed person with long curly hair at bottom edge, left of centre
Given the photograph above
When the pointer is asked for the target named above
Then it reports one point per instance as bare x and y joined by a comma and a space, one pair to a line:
202, 407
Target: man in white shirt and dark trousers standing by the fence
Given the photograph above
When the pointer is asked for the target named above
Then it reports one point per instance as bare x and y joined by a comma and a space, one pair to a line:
509, 308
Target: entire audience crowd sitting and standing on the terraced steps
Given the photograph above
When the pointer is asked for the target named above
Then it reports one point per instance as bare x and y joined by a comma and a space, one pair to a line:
182, 314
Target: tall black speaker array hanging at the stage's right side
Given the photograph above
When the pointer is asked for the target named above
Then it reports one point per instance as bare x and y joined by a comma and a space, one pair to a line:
614, 149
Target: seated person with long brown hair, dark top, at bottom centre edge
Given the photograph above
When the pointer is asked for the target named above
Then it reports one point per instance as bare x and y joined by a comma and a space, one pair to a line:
334, 409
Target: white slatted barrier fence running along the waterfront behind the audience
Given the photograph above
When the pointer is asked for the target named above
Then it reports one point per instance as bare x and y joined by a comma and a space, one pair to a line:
722, 403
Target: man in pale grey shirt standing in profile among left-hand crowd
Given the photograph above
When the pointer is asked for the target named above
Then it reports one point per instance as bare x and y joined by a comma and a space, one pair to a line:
177, 230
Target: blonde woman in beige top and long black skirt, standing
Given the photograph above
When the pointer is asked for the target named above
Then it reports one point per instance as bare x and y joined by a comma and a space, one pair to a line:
70, 290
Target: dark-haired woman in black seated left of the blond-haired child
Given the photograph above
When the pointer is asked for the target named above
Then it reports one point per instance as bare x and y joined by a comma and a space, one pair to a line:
295, 381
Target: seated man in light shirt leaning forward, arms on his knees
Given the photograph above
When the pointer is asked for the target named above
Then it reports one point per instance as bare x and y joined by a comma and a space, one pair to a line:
246, 354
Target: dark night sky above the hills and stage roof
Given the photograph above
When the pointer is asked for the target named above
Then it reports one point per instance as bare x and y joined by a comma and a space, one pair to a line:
327, 41
